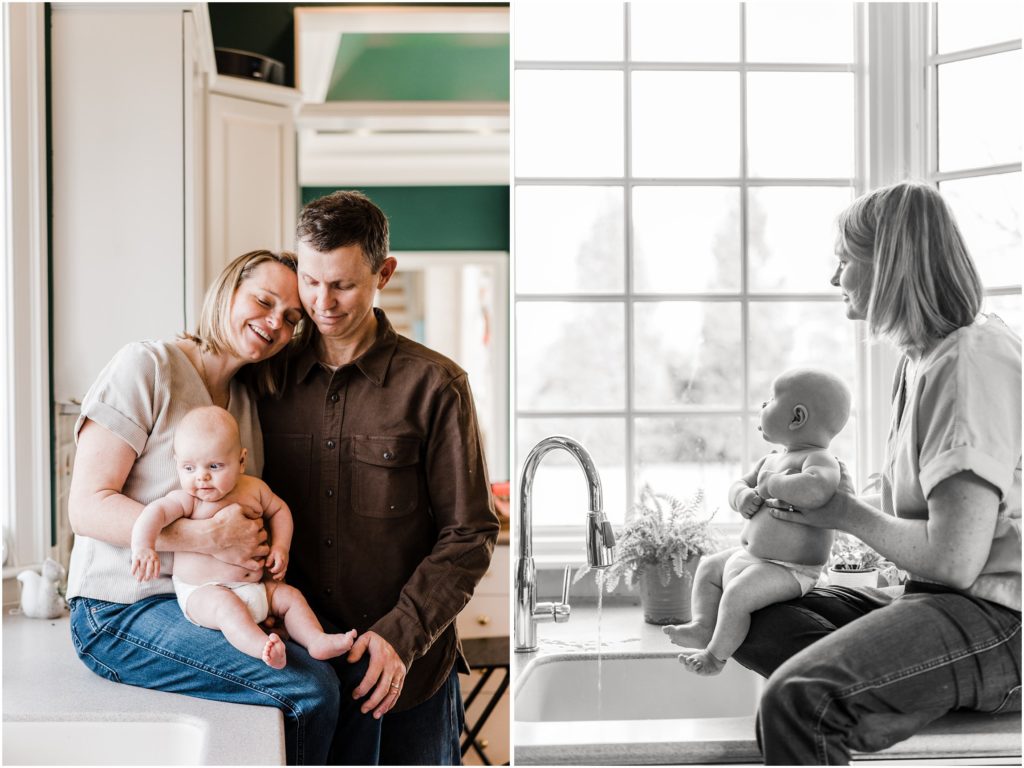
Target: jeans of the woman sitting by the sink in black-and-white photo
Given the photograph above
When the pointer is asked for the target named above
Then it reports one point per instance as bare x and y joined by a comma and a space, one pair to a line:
861, 670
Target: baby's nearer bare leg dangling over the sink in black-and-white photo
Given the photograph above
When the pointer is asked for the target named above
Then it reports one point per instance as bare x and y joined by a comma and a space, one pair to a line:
754, 588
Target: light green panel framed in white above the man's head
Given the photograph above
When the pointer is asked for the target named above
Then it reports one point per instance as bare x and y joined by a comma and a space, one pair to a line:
421, 67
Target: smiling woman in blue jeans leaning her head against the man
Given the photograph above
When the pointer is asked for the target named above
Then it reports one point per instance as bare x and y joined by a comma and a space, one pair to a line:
134, 632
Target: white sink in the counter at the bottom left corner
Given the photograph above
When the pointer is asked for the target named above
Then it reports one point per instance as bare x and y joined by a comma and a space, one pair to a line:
102, 743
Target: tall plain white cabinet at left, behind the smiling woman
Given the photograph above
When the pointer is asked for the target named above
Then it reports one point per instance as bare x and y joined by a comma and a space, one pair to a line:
125, 178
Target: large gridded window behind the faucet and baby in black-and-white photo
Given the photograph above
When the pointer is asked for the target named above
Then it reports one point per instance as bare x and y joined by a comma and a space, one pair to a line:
673, 202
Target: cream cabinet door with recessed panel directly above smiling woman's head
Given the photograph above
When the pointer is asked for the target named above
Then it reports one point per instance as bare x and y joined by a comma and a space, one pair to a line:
251, 187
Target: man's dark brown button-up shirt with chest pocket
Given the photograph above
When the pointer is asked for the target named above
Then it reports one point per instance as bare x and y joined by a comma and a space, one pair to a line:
382, 466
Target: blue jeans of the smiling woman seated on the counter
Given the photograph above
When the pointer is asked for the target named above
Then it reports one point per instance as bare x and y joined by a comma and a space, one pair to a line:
151, 645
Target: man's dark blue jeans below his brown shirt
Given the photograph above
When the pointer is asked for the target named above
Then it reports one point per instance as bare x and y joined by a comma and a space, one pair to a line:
426, 735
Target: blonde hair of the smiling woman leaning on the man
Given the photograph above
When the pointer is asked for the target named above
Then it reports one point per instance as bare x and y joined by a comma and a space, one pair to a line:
214, 332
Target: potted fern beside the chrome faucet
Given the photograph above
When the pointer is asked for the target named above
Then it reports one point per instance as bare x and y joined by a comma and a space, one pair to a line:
659, 549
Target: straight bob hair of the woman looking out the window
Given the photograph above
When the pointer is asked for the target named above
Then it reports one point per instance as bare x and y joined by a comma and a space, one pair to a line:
924, 283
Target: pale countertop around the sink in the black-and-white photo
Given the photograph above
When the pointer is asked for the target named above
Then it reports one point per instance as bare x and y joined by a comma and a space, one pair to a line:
623, 631
